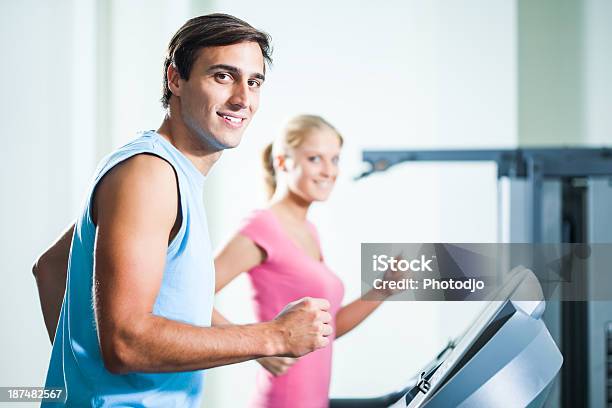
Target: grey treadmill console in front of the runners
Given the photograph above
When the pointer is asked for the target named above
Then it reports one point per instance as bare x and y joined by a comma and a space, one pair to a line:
506, 358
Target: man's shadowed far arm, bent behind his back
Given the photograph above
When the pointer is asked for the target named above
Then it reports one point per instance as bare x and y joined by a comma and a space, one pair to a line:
50, 272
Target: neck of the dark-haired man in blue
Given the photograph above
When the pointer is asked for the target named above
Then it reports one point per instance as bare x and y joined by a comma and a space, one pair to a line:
174, 130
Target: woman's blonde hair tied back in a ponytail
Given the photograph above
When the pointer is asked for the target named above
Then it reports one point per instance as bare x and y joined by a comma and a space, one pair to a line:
292, 136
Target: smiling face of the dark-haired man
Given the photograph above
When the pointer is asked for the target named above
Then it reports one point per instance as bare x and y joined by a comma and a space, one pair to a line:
222, 93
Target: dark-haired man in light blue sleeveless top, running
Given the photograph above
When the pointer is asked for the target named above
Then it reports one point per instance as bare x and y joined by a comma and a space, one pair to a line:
127, 291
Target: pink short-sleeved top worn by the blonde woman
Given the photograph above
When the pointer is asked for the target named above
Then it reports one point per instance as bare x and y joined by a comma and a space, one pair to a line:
289, 274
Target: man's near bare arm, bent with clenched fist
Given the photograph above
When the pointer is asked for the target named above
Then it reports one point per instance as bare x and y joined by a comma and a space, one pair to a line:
135, 209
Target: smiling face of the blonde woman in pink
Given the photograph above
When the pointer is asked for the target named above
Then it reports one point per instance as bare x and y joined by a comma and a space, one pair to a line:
312, 167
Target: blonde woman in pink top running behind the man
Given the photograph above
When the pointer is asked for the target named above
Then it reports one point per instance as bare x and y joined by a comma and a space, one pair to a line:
280, 249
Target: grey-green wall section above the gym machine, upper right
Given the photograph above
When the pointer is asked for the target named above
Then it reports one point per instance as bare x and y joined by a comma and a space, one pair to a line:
550, 71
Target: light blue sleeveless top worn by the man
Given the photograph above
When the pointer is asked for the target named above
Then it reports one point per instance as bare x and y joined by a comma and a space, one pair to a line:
186, 295
